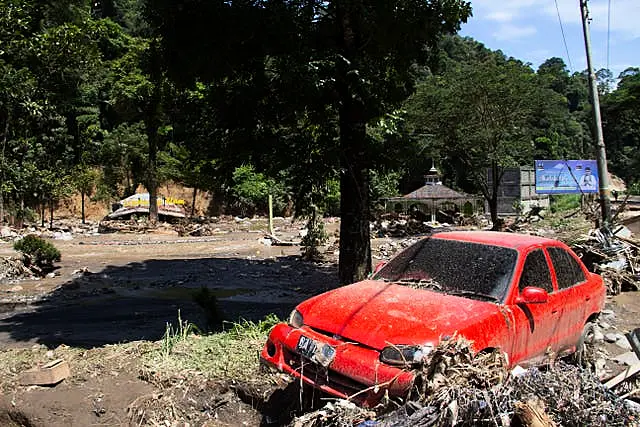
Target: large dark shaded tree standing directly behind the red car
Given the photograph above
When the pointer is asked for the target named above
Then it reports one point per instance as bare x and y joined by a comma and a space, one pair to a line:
363, 52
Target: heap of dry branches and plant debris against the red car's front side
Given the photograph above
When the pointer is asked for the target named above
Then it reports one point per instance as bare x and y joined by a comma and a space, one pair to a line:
454, 387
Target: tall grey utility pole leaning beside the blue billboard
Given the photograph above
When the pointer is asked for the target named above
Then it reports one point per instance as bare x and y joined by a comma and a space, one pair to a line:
601, 154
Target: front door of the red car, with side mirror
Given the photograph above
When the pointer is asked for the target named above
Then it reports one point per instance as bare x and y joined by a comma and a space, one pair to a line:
534, 324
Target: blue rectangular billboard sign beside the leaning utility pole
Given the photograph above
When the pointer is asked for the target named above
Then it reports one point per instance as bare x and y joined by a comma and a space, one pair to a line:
566, 176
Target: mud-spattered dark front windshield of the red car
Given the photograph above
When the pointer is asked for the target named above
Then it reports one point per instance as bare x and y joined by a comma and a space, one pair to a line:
473, 270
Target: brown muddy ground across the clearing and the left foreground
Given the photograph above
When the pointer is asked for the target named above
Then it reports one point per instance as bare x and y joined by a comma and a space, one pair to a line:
124, 288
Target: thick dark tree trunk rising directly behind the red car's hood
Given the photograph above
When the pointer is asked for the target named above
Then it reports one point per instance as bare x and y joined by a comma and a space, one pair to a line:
355, 243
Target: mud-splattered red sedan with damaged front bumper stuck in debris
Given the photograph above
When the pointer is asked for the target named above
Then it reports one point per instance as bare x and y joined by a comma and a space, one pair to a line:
527, 296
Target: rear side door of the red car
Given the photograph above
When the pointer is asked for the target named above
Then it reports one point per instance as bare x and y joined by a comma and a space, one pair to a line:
571, 300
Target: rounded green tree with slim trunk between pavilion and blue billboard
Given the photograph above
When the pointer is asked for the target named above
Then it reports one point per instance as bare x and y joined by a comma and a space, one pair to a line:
480, 113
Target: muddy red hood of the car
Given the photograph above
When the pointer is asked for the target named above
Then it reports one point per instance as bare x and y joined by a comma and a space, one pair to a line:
376, 314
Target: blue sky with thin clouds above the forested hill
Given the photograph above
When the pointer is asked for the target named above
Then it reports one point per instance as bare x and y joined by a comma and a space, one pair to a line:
529, 30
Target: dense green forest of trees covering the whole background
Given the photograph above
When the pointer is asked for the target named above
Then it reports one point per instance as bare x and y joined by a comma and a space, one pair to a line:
325, 105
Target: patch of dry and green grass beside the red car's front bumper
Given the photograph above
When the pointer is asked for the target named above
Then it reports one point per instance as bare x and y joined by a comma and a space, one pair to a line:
228, 355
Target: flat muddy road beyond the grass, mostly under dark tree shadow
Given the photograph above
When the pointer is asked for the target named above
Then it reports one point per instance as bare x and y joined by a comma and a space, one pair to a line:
119, 288
